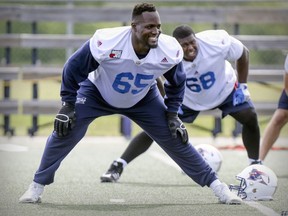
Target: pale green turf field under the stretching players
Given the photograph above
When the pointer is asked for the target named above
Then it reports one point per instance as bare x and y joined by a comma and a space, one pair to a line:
151, 185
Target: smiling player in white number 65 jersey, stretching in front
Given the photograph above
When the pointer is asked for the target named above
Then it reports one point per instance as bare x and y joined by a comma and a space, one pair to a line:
114, 73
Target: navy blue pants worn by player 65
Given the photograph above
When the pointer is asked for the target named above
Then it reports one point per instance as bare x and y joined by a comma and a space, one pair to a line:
149, 114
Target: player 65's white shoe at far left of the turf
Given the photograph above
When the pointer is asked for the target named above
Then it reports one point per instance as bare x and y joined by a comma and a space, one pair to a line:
33, 194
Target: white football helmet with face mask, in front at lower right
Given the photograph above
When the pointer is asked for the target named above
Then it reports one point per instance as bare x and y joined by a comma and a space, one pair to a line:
257, 182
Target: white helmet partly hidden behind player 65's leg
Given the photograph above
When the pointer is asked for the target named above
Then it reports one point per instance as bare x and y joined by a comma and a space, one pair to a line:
211, 155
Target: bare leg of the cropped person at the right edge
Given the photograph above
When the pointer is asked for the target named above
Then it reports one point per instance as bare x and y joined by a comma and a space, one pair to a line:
272, 131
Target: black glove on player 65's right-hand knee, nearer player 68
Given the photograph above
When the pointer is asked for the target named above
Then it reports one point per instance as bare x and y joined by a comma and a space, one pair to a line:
177, 126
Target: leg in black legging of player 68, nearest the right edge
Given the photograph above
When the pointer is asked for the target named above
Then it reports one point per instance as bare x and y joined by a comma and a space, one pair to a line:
250, 131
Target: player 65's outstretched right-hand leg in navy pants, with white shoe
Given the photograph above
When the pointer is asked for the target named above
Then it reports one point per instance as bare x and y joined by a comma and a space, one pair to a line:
185, 155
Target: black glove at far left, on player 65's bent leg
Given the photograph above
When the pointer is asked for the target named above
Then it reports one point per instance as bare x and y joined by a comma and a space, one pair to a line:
65, 119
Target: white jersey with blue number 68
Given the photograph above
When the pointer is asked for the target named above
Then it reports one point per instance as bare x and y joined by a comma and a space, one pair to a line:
210, 77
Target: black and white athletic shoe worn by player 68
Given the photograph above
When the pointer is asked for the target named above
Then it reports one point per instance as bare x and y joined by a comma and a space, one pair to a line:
114, 172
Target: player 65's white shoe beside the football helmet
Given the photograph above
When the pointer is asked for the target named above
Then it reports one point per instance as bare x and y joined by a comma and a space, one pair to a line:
225, 195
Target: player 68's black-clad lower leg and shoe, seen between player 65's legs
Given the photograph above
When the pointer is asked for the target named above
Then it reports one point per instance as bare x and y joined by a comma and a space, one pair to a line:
137, 146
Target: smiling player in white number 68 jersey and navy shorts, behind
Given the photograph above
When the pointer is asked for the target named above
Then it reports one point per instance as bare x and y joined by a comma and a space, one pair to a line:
211, 83
